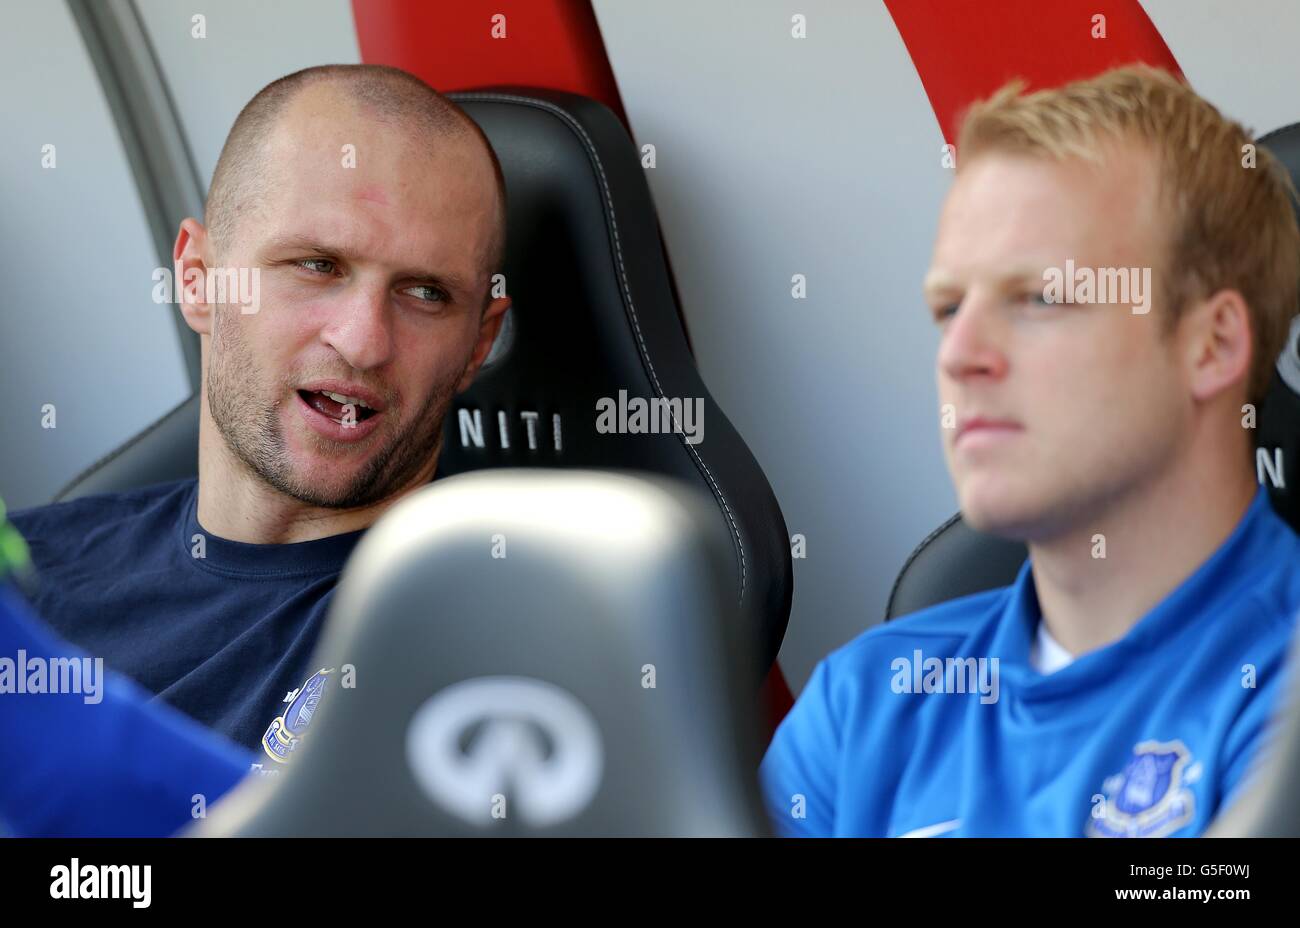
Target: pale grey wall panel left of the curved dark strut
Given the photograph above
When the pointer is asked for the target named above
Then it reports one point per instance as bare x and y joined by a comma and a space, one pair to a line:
79, 329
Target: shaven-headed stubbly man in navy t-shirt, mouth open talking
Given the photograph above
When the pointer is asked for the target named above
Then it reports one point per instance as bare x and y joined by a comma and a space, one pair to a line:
371, 213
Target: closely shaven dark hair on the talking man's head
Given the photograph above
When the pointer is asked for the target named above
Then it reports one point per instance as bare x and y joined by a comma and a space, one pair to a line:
391, 94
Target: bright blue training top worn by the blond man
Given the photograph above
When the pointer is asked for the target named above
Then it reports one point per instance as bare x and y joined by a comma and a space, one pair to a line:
937, 723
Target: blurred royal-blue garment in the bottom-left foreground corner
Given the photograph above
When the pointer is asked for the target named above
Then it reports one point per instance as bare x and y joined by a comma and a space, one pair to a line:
88, 753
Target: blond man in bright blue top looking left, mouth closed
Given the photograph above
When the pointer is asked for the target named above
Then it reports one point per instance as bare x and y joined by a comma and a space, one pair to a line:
1113, 279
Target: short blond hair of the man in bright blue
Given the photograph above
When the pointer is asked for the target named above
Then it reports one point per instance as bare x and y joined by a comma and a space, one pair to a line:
1230, 227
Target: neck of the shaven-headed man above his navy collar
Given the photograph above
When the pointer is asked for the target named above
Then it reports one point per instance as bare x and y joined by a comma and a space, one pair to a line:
237, 505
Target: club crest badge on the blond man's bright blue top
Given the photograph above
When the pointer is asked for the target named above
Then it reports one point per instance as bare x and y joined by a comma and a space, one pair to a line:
1150, 797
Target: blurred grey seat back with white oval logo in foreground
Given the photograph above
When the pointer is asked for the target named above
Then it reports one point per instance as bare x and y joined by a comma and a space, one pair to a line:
531, 653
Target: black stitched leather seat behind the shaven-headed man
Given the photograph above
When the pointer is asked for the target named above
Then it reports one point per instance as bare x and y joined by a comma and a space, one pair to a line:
593, 314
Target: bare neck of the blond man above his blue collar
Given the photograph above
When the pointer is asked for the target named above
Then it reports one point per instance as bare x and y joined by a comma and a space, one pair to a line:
1154, 541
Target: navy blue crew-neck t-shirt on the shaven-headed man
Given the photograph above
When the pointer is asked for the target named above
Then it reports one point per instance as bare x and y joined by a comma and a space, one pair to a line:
224, 631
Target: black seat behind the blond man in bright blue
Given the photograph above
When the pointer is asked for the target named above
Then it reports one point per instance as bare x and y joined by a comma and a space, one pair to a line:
955, 561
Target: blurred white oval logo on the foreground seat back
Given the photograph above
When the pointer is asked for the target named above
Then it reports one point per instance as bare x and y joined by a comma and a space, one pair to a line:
515, 738
